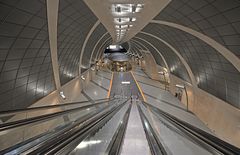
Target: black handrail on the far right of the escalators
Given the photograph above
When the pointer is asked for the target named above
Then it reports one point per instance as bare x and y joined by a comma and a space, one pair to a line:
207, 138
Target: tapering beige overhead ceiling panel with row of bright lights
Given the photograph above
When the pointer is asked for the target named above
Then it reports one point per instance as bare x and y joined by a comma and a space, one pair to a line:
111, 15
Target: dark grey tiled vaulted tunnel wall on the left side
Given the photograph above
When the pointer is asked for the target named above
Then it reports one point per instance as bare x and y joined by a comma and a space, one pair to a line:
26, 72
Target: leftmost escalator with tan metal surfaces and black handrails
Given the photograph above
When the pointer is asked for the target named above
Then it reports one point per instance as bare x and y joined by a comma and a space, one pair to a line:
54, 128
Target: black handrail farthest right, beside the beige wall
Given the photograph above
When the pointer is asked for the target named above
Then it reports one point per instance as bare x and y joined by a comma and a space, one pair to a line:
208, 141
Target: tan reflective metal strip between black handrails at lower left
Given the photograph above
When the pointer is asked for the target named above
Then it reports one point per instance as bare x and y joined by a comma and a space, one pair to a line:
44, 127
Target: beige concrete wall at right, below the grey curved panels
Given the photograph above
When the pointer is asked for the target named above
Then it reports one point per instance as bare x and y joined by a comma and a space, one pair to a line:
222, 118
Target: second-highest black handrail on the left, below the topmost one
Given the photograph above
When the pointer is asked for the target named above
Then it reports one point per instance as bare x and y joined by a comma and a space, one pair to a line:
19, 123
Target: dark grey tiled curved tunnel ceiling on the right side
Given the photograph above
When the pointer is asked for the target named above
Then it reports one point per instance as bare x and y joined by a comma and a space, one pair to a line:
218, 20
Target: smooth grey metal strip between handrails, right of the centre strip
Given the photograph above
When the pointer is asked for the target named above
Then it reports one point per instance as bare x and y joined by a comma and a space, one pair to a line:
172, 139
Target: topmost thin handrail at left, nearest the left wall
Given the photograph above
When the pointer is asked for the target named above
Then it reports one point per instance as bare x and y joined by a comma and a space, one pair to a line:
16, 111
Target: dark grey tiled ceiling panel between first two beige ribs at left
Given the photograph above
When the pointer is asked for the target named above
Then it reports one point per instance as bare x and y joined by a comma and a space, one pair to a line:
74, 22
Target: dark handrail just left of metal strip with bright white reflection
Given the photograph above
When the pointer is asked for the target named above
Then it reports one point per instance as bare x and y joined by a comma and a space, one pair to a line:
74, 136
